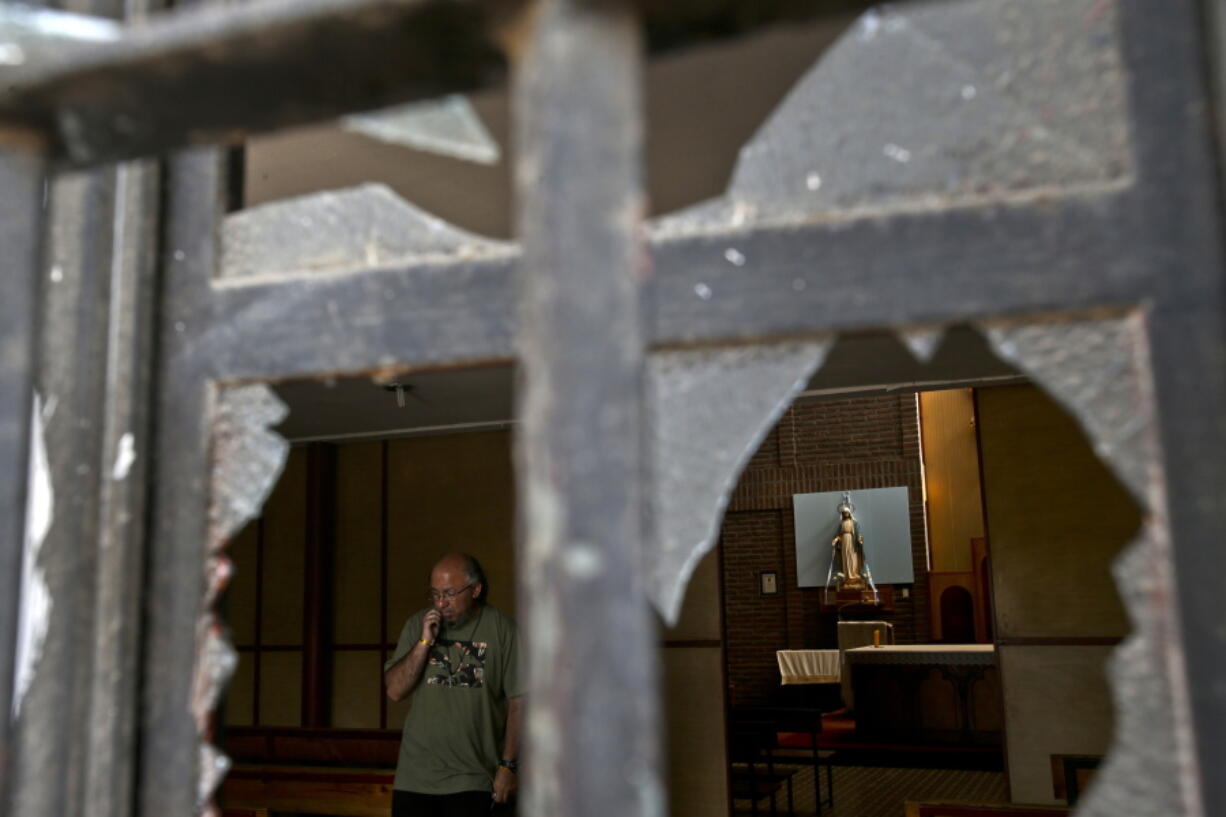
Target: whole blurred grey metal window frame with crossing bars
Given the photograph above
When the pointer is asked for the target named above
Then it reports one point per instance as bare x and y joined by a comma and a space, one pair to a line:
1153, 246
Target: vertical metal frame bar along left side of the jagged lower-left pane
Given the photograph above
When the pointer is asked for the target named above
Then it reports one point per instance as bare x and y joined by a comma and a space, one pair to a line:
170, 740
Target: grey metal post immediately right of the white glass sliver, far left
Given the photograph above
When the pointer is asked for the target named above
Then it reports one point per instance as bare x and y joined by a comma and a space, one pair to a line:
70, 380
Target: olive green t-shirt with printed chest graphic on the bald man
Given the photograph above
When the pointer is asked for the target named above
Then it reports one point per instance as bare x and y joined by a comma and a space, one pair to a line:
455, 727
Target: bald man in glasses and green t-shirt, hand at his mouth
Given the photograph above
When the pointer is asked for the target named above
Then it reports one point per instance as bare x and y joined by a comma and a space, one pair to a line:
459, 658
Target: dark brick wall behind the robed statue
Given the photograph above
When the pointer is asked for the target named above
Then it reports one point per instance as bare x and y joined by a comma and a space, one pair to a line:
849, 445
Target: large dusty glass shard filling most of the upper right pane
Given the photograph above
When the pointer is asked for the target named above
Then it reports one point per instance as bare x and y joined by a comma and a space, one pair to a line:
936, 105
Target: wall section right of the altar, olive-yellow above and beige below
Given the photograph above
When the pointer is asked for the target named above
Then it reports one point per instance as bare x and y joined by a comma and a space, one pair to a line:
1056, 520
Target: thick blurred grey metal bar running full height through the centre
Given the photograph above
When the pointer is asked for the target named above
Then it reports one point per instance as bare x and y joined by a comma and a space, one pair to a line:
593, 726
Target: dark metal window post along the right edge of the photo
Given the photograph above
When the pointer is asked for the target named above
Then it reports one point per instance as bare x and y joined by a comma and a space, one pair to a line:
1180, 229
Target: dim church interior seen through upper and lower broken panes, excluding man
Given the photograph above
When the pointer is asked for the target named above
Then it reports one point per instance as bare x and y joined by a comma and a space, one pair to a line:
981, 669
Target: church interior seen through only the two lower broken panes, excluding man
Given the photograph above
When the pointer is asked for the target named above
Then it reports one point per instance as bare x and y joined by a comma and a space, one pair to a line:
1013, 528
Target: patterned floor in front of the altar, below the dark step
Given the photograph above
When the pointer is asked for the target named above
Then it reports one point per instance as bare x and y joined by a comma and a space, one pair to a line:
871, 792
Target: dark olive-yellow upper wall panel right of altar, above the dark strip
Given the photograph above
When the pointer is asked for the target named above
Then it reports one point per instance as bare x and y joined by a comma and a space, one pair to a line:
1057, 518
